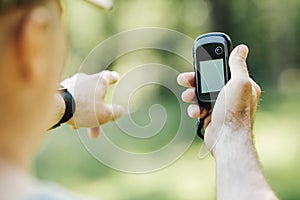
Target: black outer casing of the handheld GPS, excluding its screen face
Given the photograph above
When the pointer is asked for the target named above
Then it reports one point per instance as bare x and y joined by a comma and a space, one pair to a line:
207, 100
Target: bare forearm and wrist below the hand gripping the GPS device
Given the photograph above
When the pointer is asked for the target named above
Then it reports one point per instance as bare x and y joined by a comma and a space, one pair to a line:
239, 175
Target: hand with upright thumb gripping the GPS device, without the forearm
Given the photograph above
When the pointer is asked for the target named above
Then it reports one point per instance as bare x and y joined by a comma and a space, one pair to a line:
236, 104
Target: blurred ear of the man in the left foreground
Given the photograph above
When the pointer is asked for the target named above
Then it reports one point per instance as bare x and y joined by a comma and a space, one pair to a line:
33, 41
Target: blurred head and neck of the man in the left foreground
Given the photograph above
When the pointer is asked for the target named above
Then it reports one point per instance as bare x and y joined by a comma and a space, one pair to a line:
33, 48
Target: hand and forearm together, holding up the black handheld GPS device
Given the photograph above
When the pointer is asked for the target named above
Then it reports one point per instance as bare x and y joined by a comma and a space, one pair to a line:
228, 132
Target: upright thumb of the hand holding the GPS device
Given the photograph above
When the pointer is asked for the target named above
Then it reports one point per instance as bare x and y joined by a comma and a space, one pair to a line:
237, 62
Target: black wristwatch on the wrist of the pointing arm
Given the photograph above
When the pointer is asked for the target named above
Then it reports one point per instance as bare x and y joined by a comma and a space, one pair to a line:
69, 108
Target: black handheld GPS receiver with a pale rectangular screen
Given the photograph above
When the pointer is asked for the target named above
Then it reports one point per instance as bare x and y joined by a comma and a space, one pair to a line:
211, 52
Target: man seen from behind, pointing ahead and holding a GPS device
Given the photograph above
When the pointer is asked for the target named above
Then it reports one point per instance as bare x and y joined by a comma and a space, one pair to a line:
32, 55
